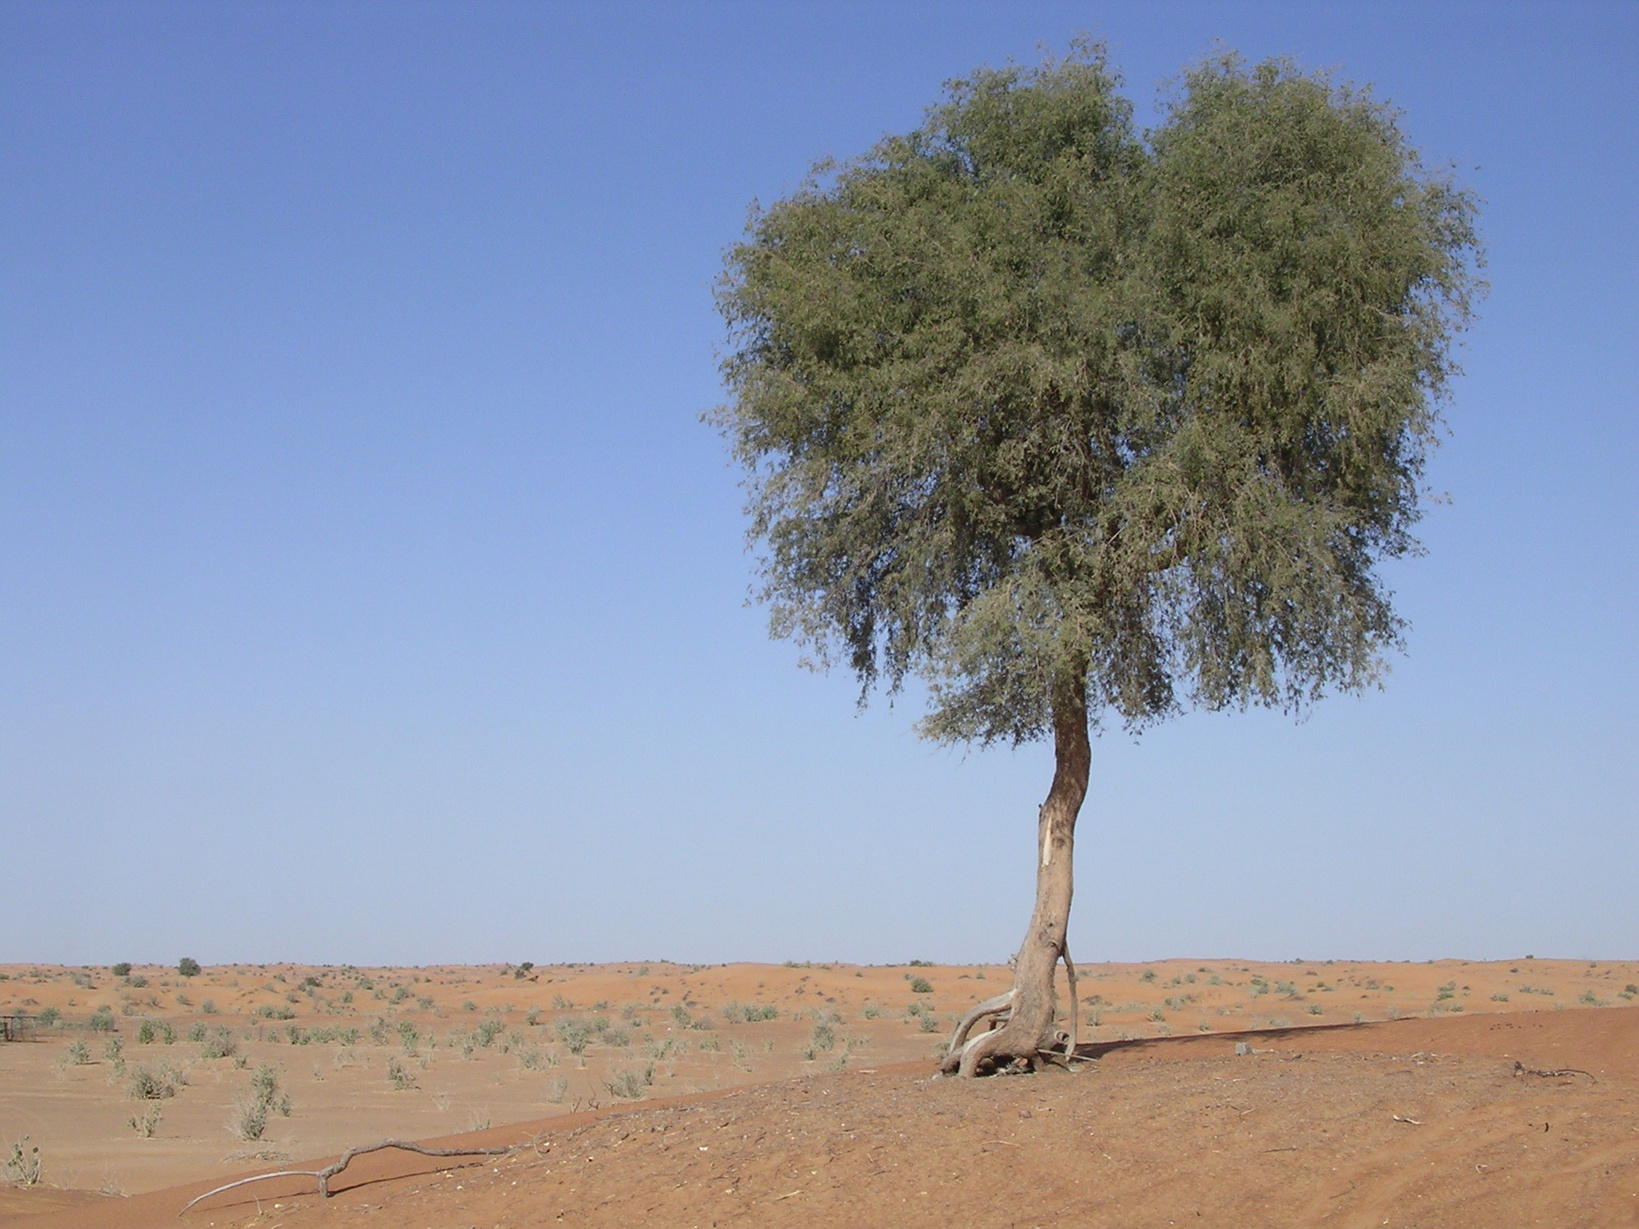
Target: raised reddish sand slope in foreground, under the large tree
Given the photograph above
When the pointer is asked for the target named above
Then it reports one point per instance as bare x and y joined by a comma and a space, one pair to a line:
1451, 1122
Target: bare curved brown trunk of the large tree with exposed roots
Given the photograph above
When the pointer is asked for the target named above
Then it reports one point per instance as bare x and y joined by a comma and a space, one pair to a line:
1033, 1000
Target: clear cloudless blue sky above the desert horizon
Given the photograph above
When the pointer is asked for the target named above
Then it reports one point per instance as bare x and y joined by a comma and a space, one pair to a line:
370, 589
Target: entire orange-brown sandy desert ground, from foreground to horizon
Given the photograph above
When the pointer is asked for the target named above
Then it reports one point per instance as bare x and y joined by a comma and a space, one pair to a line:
1173, 1130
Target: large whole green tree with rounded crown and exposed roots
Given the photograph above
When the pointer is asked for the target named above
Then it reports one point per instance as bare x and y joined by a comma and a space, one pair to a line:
1081, 425
